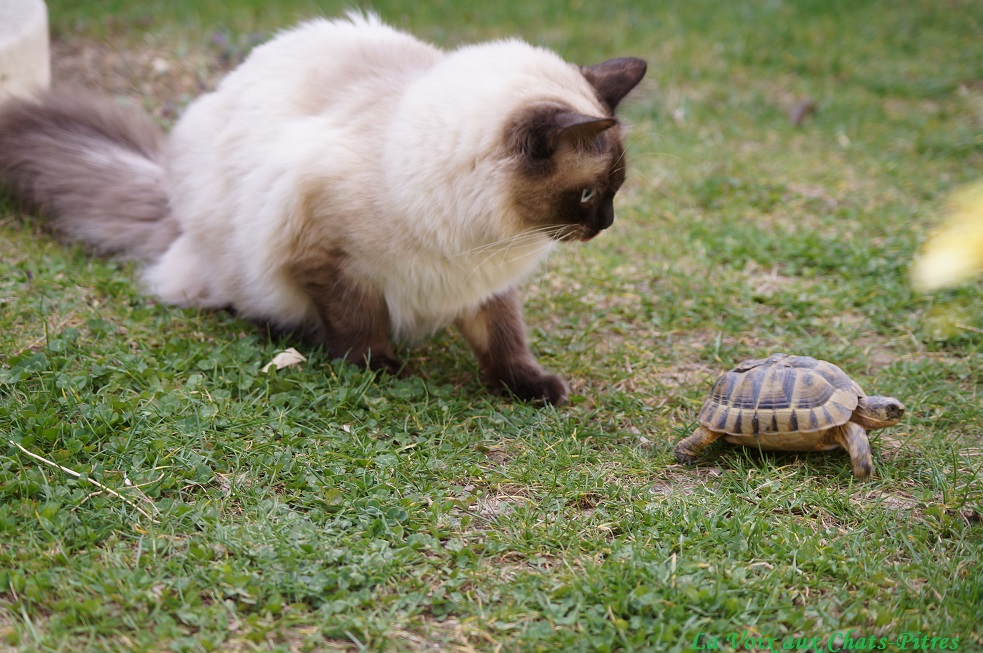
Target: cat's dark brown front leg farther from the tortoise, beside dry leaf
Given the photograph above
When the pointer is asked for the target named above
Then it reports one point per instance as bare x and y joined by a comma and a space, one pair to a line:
355, 321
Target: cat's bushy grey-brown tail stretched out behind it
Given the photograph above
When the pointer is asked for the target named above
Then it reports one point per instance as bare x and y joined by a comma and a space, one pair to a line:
93, 166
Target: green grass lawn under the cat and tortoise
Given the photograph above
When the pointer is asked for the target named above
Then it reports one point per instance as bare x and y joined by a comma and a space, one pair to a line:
323, 508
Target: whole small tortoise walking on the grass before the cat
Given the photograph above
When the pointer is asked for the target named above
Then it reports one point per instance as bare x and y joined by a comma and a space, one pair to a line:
791, 403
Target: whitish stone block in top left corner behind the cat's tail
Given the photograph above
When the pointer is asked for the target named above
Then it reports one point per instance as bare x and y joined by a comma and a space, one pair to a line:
25, 65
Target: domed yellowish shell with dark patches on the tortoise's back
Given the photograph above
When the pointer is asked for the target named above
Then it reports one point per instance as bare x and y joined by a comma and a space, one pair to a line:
780, 394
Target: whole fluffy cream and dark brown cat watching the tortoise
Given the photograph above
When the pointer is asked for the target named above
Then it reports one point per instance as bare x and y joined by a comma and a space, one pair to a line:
346, 179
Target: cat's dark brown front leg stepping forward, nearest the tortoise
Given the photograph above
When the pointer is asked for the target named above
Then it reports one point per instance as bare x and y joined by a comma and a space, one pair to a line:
497, 335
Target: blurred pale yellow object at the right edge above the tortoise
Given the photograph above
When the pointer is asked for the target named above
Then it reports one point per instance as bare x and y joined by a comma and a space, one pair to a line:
954, 253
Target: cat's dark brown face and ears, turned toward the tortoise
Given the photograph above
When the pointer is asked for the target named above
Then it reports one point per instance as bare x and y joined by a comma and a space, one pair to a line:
569, 165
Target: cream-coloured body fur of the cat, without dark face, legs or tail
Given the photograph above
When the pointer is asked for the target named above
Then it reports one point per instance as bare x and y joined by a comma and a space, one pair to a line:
347, 136
